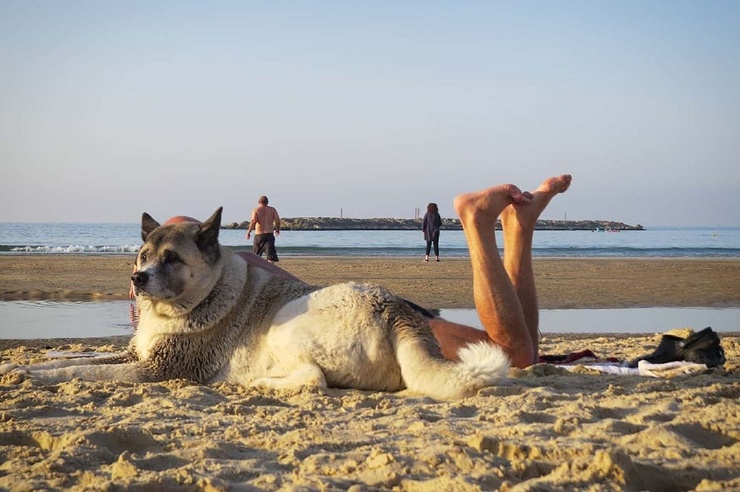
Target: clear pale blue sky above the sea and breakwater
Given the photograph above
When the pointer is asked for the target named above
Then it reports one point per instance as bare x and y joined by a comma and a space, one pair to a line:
368, 108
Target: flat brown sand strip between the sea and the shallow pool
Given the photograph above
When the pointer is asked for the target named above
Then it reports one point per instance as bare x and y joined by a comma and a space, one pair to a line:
561, 283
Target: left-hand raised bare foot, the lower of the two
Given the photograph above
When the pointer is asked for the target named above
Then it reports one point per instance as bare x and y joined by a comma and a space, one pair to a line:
485, 206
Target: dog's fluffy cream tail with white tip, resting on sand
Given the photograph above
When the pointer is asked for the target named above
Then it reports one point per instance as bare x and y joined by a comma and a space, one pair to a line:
481, 364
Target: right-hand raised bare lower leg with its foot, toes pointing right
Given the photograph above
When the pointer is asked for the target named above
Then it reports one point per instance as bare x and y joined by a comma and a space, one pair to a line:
518, 223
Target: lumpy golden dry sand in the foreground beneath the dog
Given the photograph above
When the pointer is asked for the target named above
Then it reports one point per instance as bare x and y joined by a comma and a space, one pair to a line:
548, 429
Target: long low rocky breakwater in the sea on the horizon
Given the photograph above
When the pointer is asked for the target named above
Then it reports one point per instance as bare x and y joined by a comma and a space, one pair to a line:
390, 224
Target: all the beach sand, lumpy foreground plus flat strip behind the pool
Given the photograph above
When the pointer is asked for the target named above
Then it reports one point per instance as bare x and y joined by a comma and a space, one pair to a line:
545, 428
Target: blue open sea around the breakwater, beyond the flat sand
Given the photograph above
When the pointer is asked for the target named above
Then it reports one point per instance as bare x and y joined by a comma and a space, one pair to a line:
654, 242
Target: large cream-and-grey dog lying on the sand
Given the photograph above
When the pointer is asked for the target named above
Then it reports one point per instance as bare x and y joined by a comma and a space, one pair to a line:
207, 315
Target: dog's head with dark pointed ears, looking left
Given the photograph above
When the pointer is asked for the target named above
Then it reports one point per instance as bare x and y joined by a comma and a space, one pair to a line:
178, 262
